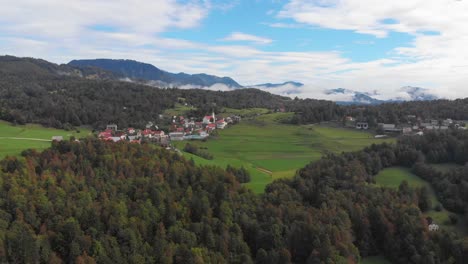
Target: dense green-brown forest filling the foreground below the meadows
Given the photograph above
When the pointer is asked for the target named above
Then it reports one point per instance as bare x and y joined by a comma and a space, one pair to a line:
93, 201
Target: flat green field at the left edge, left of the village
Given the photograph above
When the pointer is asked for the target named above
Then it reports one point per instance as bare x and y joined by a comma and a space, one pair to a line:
15, 139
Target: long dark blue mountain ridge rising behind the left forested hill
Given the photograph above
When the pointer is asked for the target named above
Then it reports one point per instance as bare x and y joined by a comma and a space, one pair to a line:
143, 71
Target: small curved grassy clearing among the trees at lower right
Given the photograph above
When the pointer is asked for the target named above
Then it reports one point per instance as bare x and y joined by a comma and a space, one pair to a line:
392, 177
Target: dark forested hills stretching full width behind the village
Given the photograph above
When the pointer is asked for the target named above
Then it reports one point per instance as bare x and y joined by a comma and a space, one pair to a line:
36, 91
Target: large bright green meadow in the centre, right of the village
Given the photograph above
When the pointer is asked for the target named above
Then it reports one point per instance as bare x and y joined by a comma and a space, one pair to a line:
270, 150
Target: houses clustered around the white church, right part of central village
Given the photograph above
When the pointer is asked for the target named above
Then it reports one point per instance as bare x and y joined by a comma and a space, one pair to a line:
187, 128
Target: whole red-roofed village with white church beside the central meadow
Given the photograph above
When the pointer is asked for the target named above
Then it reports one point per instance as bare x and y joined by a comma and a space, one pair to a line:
181, 128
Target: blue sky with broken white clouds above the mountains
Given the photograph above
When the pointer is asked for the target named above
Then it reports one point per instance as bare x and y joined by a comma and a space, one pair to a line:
372, 46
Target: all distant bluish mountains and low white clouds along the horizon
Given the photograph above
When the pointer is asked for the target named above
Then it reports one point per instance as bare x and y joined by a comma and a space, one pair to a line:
139, 71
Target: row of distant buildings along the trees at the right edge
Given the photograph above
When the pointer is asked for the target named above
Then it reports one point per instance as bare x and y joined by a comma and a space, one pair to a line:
416, 127
